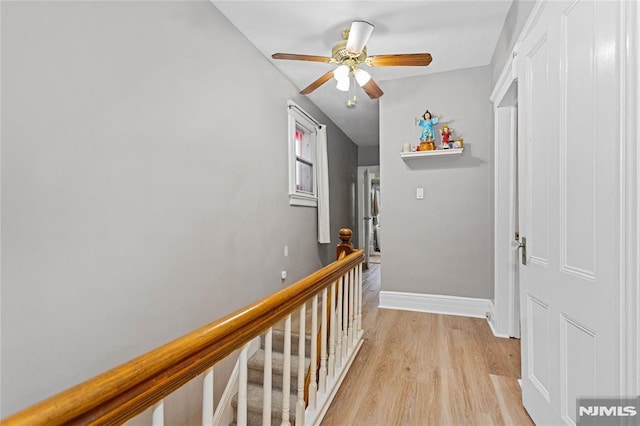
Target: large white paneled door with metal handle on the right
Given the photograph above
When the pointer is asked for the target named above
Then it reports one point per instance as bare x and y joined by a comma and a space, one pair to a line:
569, 201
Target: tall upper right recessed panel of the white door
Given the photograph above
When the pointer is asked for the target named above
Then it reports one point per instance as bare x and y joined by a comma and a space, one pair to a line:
577, 172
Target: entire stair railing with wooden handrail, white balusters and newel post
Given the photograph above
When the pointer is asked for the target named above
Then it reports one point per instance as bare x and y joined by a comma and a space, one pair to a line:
123, 392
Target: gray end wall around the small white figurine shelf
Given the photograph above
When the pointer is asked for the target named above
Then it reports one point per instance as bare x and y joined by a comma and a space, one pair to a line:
441, 244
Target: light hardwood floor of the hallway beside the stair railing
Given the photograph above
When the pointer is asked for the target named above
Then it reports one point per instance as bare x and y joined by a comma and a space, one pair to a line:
428, 369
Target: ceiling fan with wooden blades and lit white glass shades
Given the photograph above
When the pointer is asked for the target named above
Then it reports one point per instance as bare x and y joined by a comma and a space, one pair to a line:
349, 54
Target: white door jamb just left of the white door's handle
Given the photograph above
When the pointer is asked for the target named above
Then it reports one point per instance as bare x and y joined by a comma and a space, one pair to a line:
506, 306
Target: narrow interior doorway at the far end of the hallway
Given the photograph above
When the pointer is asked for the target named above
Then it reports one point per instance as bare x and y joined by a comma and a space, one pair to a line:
369, 214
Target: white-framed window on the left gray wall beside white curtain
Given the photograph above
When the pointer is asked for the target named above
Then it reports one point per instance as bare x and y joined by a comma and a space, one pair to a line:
303, 136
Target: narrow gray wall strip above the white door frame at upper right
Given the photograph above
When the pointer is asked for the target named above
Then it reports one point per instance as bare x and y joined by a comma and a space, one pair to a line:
515, 20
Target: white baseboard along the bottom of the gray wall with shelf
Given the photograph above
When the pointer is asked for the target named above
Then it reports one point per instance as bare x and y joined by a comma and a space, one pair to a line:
435, 303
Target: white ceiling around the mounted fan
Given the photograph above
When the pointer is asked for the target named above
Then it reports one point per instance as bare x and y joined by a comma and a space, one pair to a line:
458, 34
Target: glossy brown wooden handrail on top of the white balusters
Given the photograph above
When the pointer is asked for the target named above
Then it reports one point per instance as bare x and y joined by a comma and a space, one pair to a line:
123, 392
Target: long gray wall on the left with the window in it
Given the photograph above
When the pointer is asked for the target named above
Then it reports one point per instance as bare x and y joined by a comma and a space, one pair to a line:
144, 184
